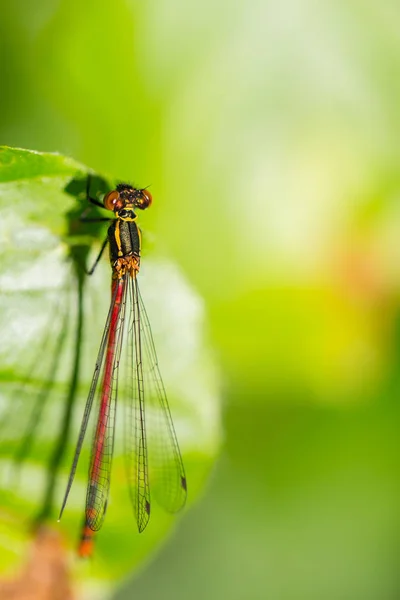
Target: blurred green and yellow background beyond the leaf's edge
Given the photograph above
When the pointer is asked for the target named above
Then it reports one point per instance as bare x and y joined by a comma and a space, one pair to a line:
269, 133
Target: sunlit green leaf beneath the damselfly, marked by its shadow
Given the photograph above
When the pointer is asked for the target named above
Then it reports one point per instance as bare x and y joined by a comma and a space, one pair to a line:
51, 320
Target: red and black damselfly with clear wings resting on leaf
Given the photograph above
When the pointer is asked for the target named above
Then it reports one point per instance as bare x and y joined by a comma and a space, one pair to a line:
127, 334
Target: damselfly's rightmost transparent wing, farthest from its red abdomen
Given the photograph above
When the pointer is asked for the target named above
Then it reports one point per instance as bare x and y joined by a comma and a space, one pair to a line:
168, 479
